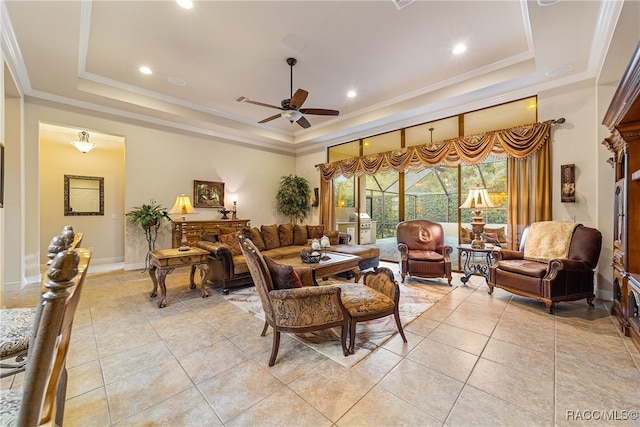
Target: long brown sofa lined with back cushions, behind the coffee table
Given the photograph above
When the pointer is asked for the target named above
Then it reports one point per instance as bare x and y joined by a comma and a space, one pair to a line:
228, 268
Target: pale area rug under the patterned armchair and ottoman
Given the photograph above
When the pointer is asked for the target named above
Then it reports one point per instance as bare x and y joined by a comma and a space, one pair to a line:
416, 296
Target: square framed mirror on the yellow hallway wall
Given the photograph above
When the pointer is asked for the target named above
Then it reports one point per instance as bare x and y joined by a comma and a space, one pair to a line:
83, 195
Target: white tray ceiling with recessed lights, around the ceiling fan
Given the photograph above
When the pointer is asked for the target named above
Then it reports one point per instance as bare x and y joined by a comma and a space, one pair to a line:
87, 54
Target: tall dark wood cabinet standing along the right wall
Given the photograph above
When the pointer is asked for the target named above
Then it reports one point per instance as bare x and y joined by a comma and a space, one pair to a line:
623, 120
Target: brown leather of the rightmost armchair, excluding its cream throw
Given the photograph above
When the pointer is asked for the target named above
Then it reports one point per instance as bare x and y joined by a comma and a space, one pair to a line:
566, 279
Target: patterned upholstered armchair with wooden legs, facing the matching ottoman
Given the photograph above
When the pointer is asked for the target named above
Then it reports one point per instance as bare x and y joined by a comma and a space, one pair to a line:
295, 310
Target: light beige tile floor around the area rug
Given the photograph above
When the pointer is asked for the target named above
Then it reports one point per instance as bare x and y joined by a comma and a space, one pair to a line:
471, 359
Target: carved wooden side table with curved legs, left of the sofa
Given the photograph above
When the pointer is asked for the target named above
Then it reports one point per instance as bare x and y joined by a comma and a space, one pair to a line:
163, 262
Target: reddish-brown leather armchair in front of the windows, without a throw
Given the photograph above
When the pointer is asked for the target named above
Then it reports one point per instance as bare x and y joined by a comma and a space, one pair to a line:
422, 250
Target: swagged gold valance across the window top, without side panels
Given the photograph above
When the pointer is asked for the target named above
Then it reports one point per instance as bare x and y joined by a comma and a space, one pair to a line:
516, 142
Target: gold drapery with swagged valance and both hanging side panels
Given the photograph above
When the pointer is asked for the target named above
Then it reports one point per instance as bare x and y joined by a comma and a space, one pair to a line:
527, 149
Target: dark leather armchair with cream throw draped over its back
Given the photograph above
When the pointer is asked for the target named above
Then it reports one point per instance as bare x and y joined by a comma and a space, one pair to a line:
554, 263
